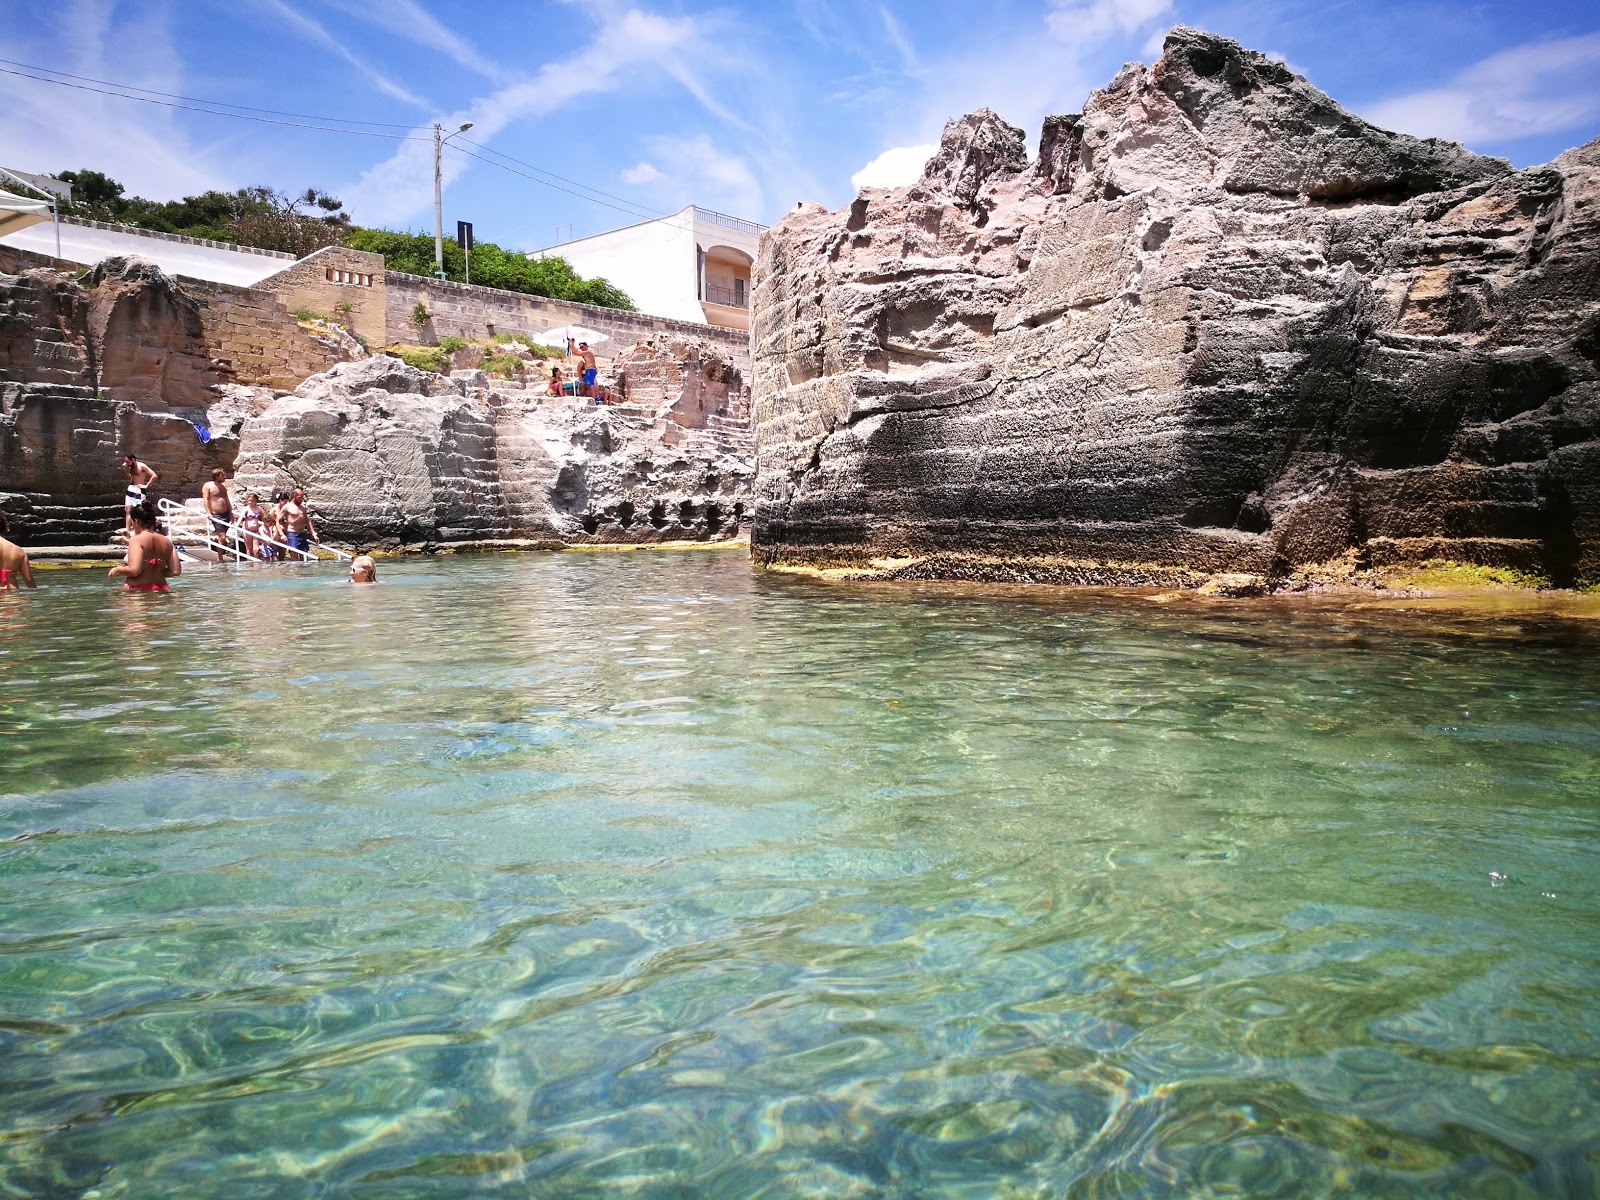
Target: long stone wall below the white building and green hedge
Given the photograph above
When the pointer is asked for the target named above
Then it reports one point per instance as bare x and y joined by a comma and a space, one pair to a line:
470, 311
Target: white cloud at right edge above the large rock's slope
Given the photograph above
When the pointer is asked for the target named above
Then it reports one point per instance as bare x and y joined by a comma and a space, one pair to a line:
1535, 89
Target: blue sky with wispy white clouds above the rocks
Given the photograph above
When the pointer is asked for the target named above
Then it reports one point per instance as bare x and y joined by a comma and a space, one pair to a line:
746, 106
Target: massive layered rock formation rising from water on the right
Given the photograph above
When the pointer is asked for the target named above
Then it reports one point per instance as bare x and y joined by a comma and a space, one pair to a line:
1218, 324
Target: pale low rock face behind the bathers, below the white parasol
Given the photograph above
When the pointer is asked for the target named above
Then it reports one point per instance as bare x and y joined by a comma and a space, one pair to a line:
393, 455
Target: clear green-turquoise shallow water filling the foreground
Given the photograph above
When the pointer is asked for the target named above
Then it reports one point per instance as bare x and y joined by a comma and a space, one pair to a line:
647, 876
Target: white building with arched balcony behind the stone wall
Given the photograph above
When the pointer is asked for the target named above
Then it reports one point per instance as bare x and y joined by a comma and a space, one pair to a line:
694, 266
